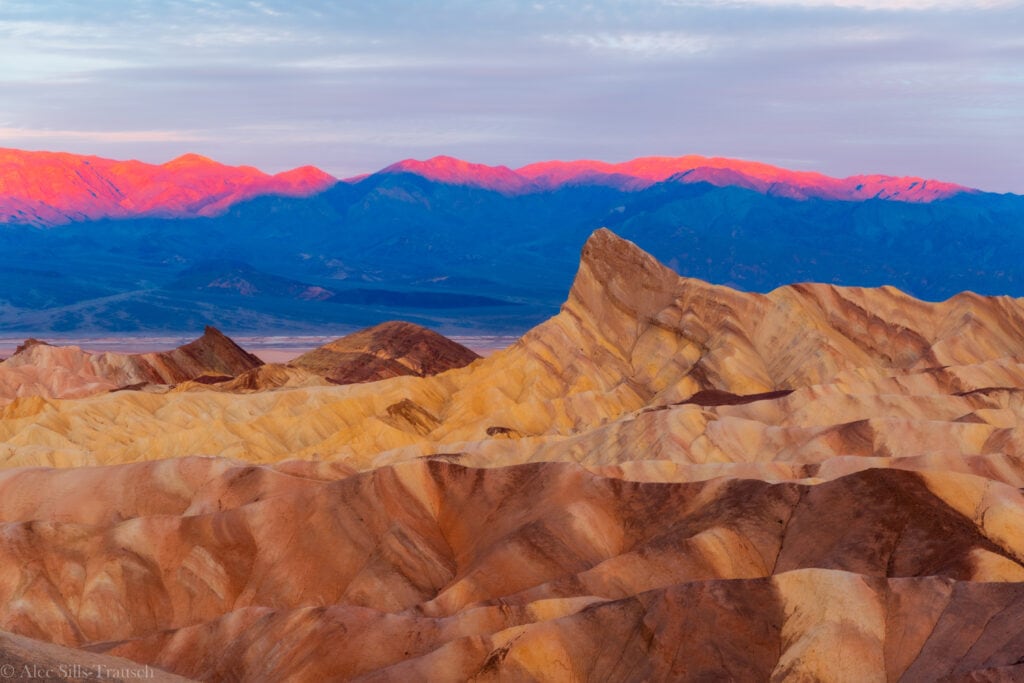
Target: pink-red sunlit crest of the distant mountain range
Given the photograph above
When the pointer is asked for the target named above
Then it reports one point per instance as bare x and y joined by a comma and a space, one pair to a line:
52, 189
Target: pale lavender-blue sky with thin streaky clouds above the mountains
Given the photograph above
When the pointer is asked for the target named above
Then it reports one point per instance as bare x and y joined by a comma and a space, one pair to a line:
932, 89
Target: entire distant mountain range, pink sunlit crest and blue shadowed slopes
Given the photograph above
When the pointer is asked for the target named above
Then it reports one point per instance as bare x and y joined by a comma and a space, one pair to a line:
89, 244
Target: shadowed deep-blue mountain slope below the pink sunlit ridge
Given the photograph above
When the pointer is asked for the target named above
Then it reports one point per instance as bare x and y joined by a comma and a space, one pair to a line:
468, 260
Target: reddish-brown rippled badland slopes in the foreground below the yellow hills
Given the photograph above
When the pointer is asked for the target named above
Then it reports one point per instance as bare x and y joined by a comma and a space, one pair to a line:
432, 571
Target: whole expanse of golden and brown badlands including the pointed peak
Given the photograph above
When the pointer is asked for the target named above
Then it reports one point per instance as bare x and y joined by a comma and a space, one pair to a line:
668, 481
